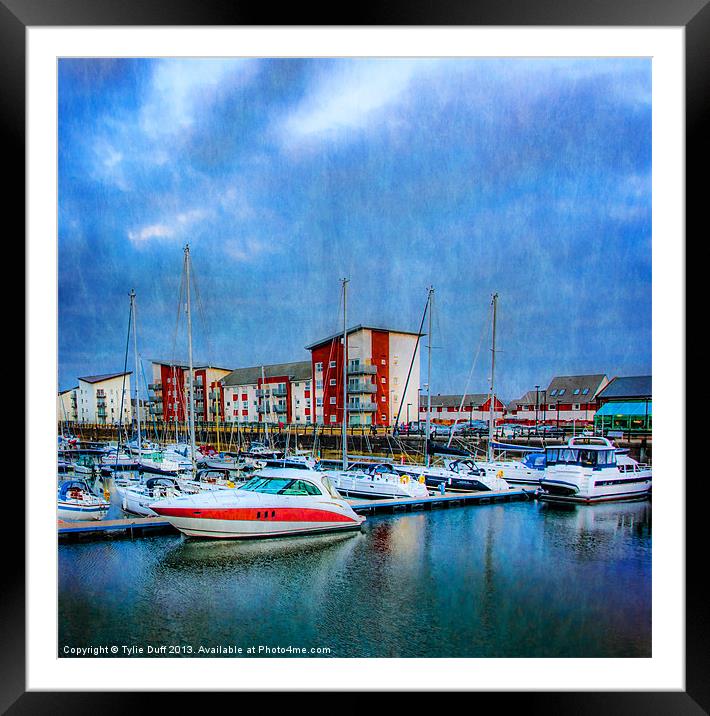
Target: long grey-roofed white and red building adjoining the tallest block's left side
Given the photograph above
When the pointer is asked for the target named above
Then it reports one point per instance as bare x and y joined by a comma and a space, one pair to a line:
277, 394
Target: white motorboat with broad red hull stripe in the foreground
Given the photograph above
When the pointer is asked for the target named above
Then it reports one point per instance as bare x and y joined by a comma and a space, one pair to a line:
274, 503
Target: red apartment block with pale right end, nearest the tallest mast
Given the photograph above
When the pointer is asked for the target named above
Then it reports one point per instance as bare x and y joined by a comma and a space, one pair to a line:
169, 392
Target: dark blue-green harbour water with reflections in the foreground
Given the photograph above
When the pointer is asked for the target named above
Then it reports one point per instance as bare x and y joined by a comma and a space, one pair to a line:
511, 580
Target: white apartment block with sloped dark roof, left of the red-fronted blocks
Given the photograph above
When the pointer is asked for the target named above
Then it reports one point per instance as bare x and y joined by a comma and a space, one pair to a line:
100, 399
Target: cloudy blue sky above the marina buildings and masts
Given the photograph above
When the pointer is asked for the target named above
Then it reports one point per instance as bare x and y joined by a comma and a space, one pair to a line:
531, 178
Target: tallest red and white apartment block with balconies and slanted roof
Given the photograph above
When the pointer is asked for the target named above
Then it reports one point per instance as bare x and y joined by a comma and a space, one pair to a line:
379, 361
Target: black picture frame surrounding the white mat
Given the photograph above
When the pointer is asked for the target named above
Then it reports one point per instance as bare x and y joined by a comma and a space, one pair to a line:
693, 15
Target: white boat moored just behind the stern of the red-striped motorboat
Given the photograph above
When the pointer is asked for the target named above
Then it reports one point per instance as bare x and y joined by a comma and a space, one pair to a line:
377, 481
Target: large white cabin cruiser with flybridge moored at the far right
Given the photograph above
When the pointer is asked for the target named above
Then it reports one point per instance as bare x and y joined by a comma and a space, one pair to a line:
590, 469
